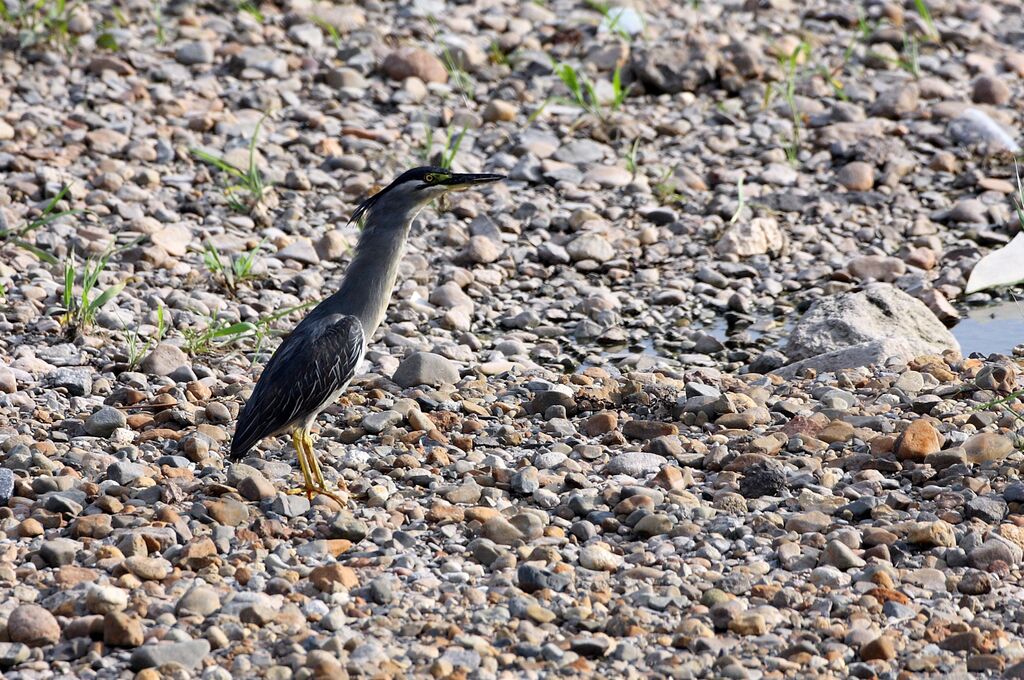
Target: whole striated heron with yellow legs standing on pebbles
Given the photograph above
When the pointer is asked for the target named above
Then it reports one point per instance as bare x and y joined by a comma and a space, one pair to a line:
316, 363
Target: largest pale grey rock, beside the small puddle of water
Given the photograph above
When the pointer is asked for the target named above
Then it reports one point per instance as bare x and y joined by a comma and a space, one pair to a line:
873, 326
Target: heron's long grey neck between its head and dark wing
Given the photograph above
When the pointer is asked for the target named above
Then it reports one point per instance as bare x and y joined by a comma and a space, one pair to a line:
370, 280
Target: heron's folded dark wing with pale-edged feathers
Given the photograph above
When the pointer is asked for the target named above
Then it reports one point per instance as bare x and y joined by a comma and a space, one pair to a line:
313, 364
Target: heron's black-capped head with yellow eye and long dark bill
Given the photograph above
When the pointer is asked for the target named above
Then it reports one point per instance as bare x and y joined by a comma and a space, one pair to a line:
413, 190
